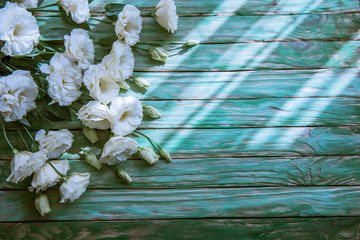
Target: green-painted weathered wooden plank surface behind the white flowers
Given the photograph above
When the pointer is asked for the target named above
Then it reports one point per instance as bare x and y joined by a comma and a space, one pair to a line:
262, 119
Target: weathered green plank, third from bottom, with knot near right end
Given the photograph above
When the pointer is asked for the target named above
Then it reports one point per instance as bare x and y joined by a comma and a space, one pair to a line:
219, 172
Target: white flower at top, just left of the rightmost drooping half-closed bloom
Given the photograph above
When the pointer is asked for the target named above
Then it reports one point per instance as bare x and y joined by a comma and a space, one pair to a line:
128, 25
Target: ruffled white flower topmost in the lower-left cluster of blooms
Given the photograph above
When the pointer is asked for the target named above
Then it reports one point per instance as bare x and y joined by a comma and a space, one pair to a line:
55, 142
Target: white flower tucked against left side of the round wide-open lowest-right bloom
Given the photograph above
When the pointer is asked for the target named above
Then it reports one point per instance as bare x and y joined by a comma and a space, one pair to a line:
95, 115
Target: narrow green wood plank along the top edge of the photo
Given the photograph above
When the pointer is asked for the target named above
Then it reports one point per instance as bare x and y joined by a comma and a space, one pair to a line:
244, 7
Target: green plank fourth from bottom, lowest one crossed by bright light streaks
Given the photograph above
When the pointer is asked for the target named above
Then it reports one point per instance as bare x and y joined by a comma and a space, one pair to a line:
283, 141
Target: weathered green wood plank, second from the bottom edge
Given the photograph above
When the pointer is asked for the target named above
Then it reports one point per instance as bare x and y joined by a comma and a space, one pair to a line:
117, 204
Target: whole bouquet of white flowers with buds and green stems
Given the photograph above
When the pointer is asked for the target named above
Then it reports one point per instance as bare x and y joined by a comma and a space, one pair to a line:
44, 82
